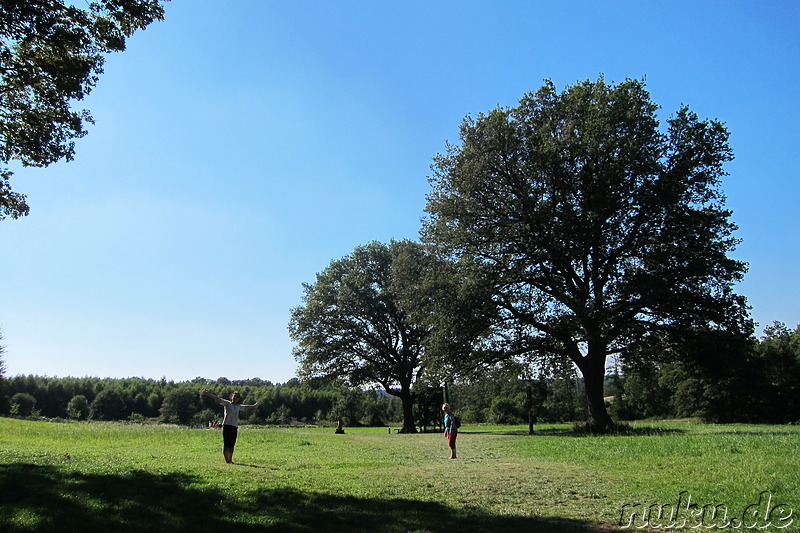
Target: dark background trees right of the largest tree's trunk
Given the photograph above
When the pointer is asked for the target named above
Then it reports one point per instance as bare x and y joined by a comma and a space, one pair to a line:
754, 381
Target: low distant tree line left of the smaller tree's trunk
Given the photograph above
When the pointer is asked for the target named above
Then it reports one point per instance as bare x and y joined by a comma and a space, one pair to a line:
140, 400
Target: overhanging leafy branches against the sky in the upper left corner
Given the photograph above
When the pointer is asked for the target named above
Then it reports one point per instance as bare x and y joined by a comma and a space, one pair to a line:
51, 54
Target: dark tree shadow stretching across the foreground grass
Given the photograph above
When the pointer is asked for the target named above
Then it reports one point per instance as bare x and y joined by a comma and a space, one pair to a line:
45, 498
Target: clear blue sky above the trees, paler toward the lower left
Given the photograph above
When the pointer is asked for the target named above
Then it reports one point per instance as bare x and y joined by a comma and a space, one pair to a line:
241, 146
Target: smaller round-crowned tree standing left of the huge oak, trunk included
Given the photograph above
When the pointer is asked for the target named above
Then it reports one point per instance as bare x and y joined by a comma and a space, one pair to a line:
360, 320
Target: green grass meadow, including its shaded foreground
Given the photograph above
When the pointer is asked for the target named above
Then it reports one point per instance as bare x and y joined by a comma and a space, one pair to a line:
118, 477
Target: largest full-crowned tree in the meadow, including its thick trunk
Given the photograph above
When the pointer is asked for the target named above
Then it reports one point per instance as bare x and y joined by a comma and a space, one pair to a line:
598, 230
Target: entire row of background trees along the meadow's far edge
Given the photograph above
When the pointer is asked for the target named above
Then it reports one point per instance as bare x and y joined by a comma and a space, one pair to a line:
764, 387
